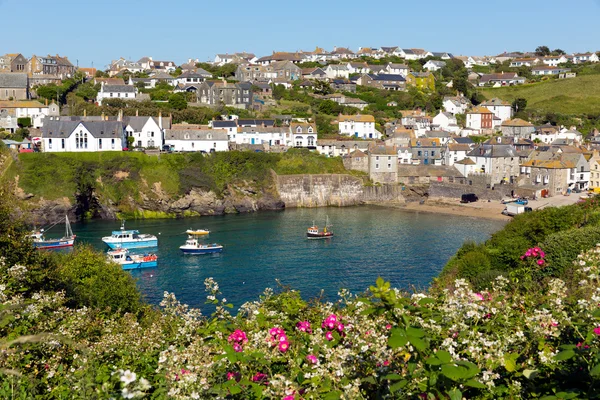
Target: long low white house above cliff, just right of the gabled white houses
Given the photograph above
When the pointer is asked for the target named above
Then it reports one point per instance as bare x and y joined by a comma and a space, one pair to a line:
203, 140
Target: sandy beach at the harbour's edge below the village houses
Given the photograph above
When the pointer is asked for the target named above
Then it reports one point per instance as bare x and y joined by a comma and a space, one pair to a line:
480, 209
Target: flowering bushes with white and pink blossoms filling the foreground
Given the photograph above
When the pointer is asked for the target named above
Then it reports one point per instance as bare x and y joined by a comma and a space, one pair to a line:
502, 342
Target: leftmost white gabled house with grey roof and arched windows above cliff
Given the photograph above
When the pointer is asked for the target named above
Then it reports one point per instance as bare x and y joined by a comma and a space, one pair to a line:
61, 135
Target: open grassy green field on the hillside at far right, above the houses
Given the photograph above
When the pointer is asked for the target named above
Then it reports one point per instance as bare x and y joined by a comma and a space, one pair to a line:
580, 95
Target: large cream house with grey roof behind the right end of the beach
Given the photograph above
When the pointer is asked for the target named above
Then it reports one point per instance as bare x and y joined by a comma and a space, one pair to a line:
500, 163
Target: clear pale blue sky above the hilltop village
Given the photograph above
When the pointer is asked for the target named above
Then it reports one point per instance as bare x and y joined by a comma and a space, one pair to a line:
100, 31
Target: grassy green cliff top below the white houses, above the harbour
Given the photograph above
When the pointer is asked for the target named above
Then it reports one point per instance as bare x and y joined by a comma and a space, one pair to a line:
118, 175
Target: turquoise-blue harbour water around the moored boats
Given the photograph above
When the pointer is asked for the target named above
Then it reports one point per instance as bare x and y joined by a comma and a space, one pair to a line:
406, 248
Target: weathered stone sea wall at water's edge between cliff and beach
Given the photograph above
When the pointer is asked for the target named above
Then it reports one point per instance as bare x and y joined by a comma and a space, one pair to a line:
333, 190
